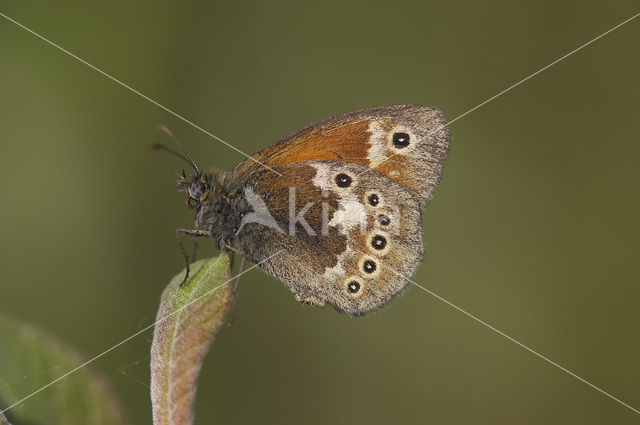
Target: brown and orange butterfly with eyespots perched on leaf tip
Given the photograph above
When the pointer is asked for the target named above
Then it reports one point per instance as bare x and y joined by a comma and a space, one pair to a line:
340, 202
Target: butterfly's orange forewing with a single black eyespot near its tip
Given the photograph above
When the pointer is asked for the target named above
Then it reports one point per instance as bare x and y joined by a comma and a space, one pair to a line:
406, 143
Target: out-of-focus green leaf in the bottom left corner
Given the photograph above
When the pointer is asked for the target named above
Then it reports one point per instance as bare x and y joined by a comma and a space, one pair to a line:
30, 359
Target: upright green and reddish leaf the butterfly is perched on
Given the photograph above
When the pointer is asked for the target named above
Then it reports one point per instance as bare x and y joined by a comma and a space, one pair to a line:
189, 319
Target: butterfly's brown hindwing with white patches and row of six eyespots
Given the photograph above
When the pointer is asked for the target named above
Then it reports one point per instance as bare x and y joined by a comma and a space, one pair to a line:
354, 246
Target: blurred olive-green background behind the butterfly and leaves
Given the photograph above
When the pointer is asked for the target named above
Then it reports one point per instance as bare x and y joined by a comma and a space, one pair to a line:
534, 228
